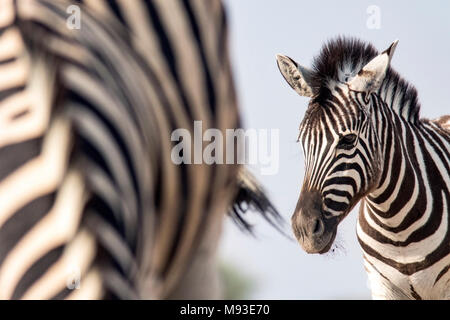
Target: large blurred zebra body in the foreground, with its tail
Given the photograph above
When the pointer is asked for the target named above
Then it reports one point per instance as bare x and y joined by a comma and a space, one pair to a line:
91, 205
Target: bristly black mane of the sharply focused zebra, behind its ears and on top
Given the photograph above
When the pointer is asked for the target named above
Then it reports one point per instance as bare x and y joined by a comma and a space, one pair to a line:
344, 57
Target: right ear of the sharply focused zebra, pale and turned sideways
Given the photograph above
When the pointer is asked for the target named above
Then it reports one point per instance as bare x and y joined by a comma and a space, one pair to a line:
370, 77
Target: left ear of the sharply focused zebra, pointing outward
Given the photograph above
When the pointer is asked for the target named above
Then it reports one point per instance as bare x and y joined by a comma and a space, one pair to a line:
297, 76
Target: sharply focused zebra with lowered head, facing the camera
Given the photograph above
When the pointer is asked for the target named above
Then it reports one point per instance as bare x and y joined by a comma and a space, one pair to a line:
363, 139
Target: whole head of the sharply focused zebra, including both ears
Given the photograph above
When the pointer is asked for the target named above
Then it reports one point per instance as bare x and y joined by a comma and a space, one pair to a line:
338, 135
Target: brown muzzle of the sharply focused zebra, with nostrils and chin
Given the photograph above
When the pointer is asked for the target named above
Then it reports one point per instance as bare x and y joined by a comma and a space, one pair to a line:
314, 232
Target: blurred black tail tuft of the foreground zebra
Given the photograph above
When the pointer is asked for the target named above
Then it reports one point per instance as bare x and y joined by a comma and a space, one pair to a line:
251, 196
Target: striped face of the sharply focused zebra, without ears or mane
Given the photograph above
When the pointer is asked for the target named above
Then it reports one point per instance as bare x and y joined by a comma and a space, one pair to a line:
338, 170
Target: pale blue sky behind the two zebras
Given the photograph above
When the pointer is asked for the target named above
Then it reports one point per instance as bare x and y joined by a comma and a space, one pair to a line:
259, 30
